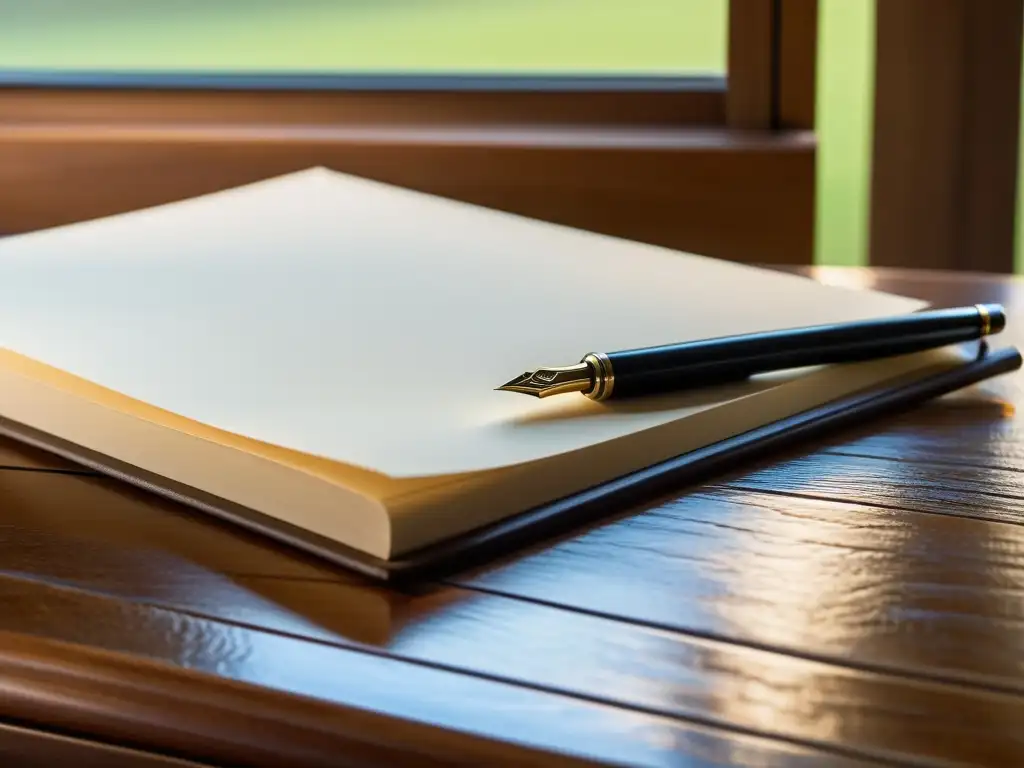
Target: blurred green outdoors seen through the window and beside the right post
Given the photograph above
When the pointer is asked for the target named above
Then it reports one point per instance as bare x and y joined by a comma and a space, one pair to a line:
595, 37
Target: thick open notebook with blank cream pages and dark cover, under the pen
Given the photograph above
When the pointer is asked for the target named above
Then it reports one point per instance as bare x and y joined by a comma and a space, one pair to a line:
315, 357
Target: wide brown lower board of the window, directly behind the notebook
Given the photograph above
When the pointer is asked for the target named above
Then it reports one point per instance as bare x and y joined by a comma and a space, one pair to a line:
735, 195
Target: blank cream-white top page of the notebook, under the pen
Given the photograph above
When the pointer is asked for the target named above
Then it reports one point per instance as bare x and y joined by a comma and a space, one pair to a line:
370, 325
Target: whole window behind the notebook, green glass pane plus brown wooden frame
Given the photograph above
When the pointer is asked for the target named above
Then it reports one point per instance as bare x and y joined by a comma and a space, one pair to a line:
686, 123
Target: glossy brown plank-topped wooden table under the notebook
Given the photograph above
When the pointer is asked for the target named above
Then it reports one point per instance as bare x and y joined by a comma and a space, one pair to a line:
854, 603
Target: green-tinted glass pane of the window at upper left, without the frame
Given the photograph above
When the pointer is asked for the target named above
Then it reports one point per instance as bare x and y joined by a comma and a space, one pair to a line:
546, 37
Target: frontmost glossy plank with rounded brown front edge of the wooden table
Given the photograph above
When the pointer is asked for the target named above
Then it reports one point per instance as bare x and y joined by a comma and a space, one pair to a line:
220, 686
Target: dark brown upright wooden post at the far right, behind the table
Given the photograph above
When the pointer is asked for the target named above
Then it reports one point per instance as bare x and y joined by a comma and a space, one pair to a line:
948, 102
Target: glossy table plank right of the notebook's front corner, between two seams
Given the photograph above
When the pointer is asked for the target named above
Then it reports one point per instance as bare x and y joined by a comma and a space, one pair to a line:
828, 580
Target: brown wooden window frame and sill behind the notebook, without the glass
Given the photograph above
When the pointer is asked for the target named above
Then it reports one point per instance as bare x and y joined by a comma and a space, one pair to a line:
720, 166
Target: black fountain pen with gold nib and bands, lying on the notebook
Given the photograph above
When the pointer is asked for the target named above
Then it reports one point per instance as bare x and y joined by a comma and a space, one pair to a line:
648, 371
